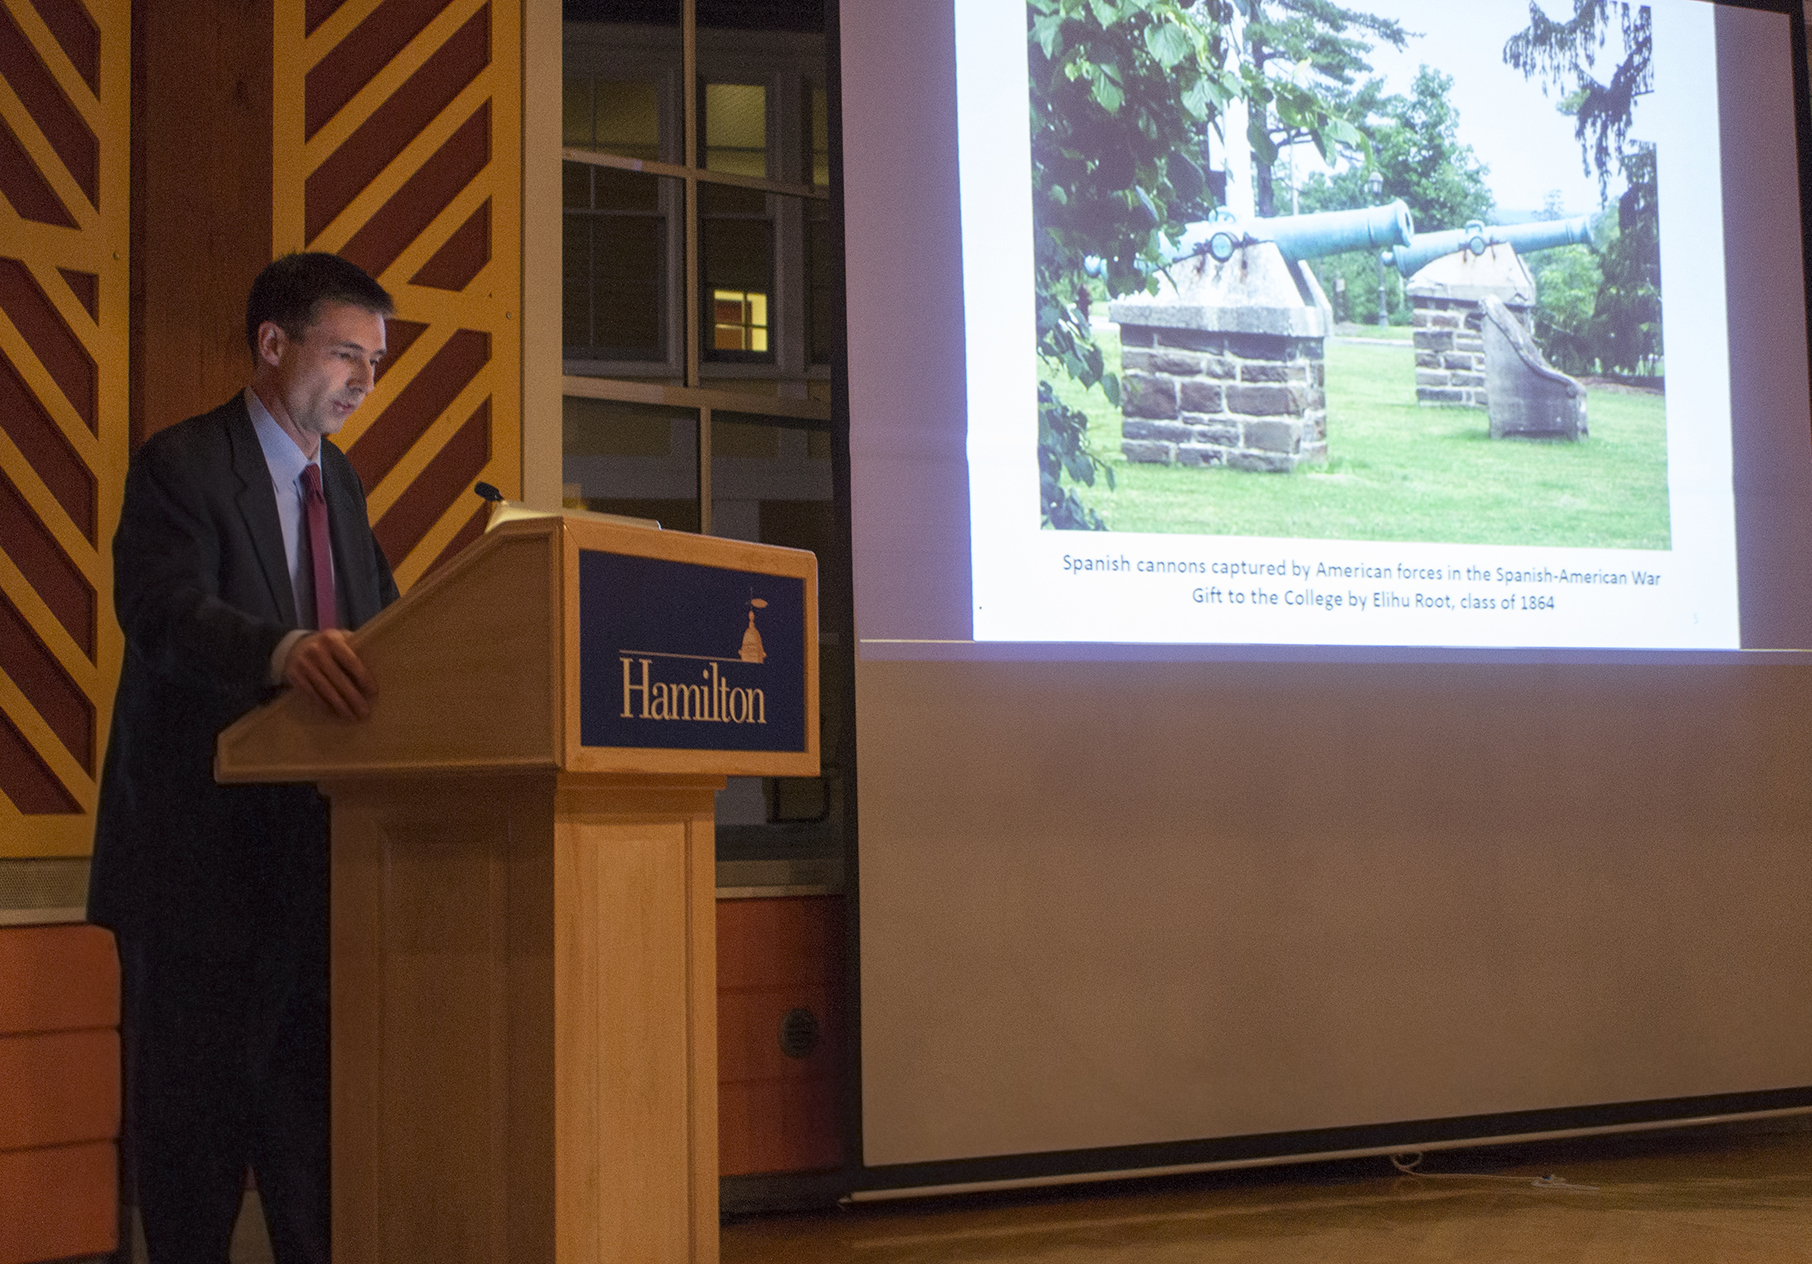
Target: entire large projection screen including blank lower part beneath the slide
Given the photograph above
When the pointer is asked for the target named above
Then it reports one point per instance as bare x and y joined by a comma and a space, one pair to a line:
1483, 810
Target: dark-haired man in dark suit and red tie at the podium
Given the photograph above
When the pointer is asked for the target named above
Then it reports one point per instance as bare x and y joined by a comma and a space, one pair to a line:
233, 580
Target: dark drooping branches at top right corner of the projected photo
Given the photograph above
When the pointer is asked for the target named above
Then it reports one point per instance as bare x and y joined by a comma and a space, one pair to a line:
1565, 57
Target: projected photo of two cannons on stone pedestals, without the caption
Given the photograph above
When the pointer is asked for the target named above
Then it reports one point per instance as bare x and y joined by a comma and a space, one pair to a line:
1380, 283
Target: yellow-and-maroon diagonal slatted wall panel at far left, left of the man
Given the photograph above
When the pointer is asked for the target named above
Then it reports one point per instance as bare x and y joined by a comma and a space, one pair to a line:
64, 253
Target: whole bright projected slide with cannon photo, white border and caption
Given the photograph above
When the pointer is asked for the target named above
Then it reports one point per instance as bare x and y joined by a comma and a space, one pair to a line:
1360, 330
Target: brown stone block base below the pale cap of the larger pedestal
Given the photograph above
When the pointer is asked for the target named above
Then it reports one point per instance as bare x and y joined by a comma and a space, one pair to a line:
1248, 401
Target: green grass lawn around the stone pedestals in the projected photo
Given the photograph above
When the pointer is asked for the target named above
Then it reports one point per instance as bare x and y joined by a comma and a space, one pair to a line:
1403, 472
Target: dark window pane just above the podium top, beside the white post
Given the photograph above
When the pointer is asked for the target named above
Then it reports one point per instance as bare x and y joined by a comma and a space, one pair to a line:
633, 459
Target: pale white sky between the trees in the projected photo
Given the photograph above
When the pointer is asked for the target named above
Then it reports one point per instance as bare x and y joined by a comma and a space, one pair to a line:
1512, 128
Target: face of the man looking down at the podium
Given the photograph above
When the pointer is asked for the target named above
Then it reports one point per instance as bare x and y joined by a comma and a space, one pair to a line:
325, 374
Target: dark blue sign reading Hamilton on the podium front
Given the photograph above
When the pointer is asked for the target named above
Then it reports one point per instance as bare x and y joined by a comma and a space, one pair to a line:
680, 656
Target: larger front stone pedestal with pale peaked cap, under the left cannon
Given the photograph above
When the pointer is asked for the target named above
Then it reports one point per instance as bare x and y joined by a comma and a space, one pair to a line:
1228, 367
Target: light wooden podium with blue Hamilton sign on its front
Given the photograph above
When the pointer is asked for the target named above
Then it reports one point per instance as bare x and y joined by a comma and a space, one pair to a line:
523, 895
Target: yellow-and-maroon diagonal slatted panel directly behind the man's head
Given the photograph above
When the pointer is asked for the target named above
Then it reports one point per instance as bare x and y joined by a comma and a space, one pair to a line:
398, 144
